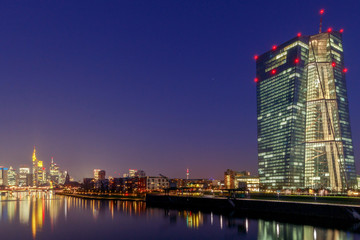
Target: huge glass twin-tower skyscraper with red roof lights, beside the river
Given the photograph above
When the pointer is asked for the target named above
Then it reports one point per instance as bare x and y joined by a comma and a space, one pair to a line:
304, 136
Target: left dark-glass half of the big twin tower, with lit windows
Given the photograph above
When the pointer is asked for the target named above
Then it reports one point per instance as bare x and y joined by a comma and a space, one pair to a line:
281, 105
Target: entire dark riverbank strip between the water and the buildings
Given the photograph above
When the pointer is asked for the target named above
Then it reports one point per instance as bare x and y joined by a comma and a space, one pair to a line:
341, 209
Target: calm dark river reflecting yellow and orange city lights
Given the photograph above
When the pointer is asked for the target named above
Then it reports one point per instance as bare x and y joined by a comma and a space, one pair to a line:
46, 216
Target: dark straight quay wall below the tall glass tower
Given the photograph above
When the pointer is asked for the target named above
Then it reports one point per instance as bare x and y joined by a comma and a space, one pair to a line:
260, 207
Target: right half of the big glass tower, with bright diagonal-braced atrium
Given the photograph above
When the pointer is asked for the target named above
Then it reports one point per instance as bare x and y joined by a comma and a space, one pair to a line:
329, 156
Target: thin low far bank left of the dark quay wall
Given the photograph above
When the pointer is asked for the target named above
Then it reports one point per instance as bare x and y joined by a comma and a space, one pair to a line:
103, 196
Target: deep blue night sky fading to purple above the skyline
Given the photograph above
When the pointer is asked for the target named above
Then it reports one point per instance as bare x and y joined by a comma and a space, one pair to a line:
154, 85
